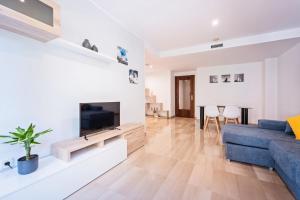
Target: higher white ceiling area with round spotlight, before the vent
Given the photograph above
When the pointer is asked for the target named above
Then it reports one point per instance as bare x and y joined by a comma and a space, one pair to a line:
169, 24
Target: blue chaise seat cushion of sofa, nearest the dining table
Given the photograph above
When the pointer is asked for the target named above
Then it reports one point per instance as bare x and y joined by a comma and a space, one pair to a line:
252, 136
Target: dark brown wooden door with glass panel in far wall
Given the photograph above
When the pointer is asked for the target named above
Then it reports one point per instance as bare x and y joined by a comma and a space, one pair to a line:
185, 96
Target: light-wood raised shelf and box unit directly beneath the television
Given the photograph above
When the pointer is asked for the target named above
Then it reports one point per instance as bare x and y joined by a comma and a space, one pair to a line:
133, 133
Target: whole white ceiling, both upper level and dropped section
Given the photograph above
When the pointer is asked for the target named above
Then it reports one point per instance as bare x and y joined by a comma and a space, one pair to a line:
167, 25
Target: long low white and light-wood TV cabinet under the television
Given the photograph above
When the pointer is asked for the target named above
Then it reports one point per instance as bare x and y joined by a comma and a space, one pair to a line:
74, 164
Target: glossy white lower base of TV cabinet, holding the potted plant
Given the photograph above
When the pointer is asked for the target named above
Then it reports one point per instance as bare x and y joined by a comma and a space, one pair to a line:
56, 179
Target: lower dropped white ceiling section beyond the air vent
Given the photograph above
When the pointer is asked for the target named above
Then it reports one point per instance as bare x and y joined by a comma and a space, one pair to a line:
244, 54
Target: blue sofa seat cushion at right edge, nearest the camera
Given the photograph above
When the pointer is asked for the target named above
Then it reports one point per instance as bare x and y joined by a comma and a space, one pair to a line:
287, 157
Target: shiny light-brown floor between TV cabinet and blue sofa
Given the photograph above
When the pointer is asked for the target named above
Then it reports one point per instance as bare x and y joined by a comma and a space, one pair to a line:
181, 162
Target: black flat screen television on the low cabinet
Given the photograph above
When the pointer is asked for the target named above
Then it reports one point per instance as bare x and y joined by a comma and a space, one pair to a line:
96, 117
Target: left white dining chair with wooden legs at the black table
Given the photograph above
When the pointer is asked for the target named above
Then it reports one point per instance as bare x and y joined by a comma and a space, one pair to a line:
212, 114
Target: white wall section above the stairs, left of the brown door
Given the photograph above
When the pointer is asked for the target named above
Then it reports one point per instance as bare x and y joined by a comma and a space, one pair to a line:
159, 83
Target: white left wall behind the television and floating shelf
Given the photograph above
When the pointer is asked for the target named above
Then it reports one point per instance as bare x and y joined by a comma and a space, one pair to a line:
45, 85
